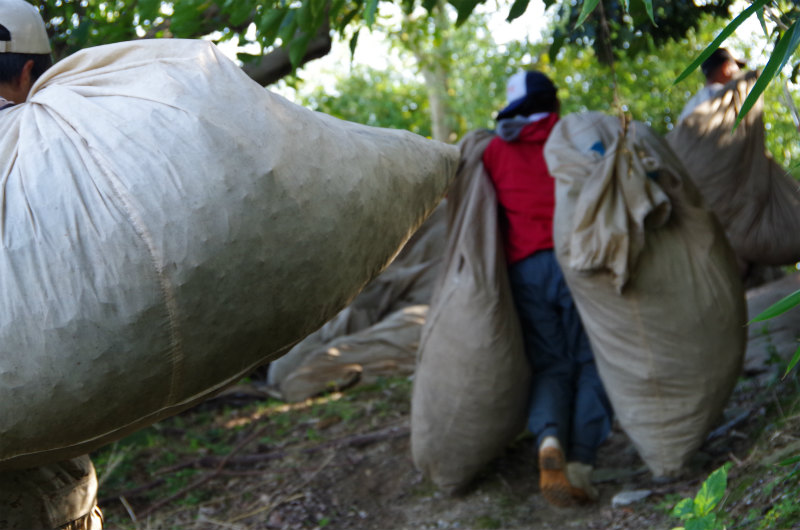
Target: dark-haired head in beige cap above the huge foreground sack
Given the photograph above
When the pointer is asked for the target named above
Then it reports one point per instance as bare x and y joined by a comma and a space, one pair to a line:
24, 50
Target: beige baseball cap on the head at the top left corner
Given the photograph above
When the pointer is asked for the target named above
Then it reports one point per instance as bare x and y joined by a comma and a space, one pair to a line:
26, 31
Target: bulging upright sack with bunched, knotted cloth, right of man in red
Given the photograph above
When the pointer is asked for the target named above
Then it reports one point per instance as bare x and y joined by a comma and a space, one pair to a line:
654, 279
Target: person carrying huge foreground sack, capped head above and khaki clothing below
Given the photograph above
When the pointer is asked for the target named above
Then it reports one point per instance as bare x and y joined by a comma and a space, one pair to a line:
56, 495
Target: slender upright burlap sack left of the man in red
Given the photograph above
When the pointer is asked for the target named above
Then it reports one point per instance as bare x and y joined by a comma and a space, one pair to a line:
470, 391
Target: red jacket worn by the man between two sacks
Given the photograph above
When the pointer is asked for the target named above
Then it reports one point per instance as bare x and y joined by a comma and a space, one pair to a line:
525, 189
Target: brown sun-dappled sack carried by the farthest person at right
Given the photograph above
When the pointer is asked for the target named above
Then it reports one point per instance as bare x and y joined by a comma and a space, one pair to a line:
755, 199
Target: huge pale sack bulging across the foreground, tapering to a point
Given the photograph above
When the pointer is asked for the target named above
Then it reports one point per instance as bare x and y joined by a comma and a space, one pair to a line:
168, 225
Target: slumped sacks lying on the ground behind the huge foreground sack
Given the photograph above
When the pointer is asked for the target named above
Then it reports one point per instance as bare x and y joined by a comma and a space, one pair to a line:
377, 334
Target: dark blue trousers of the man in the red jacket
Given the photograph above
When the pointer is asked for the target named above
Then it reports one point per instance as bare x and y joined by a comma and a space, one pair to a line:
567, 397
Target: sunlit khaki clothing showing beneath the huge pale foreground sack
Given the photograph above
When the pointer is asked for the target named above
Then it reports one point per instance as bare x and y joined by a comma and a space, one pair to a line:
56, 495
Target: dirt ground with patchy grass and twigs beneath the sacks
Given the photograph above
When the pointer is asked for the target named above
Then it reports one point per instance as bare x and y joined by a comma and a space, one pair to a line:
343, 462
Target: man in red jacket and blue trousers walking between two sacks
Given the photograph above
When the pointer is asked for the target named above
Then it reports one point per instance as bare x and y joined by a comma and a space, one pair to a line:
569, 411
